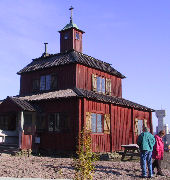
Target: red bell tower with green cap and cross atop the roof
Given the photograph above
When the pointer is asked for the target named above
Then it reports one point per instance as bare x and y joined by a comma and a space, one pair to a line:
71, 36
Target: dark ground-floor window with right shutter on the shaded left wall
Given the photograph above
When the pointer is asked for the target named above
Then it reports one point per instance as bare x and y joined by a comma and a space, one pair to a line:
58, 122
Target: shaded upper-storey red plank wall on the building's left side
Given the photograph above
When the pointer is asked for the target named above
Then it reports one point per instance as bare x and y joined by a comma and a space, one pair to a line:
66, 78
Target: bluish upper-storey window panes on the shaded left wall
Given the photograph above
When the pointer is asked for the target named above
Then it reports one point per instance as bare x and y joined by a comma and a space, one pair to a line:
45, 82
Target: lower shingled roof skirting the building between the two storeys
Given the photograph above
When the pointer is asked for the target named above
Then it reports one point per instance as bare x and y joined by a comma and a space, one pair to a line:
76, 92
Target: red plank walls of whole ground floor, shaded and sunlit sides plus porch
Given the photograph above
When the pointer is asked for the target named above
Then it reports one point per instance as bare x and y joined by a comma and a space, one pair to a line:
122, 124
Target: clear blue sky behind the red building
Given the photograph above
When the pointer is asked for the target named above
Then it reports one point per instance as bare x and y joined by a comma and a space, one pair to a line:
132, 35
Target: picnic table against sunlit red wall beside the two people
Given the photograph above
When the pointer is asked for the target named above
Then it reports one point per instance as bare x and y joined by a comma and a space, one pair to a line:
130, 148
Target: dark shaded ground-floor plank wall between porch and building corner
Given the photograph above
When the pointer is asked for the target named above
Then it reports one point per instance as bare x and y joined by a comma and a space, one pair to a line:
60, 141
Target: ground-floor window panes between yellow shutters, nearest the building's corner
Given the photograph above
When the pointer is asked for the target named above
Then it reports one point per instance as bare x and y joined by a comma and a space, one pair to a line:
96, 123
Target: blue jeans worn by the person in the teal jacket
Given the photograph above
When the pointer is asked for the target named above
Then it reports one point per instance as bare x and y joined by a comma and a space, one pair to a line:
146, 156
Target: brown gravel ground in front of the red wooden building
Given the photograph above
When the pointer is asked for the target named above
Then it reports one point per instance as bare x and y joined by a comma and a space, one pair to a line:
61, 168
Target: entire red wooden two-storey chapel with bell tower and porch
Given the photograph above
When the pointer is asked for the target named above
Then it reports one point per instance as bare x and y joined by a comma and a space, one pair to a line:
64, 92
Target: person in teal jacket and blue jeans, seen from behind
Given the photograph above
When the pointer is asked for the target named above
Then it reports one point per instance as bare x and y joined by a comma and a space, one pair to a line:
146, 141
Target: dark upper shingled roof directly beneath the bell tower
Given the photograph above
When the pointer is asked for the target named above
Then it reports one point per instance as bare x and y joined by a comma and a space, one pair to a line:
68, 58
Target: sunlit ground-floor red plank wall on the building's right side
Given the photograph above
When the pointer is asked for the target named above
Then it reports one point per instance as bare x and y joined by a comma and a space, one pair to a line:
122, 125
